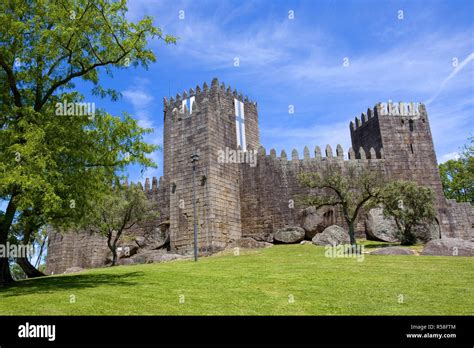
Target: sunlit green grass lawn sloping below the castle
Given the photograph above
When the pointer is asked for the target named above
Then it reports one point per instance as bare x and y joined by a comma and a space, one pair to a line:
258, 282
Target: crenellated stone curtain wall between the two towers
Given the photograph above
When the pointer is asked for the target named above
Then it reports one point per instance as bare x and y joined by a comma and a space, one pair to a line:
269, 190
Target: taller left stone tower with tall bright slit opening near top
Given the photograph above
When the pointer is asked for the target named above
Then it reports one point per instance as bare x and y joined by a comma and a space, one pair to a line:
206, 121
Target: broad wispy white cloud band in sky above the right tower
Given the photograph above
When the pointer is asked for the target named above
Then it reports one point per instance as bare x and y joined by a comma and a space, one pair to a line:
401, 69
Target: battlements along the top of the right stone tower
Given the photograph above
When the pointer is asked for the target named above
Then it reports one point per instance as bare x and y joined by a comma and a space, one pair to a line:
411, 109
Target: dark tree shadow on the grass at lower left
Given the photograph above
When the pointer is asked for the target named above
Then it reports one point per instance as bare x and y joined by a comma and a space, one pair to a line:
68, 282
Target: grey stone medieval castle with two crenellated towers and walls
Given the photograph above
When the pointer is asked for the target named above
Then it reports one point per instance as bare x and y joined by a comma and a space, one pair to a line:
241, 198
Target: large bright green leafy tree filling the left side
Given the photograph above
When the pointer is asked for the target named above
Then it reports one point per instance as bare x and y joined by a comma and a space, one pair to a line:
55, 164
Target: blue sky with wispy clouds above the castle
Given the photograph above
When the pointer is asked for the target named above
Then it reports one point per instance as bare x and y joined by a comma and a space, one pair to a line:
401, 56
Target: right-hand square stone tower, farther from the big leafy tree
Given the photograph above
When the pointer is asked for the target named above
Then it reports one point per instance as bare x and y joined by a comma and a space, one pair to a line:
400, 133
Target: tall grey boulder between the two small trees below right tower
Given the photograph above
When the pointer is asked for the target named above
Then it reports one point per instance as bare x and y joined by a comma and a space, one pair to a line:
379, 228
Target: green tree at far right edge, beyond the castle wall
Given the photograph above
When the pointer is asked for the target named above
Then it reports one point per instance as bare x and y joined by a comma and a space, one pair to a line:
457, 175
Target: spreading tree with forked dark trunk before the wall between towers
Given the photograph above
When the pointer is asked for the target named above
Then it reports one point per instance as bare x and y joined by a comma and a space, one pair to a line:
351, 189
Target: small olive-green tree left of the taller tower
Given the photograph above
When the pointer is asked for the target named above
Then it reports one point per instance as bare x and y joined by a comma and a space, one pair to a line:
119, 211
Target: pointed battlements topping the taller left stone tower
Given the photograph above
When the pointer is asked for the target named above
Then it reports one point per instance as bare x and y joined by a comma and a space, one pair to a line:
203, 92
